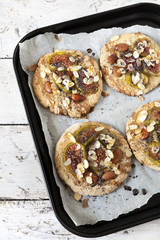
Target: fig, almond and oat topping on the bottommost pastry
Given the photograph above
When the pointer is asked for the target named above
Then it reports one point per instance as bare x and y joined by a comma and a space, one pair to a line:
93, 155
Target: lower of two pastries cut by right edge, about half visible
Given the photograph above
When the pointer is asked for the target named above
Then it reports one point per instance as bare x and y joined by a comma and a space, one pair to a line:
143, 134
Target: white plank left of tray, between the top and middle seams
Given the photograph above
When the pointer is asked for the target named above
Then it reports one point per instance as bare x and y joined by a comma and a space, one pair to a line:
11, 106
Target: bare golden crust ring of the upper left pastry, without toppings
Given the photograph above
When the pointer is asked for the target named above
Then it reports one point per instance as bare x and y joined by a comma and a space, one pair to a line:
56, 102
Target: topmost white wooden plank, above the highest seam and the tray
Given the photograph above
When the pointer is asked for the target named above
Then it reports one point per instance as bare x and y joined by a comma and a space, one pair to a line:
21, 17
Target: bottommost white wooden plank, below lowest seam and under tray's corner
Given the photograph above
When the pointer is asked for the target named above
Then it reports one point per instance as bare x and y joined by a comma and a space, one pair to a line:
31, 220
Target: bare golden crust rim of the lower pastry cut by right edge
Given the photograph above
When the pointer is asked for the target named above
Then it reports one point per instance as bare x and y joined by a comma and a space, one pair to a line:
139, 147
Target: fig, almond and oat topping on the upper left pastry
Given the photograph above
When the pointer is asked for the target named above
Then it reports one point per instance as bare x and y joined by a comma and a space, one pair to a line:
65, 74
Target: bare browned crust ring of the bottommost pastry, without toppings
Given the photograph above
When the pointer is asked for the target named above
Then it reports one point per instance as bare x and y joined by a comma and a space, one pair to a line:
82, 187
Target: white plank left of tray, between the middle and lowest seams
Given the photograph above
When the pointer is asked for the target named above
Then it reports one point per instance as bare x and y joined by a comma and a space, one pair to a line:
20, 172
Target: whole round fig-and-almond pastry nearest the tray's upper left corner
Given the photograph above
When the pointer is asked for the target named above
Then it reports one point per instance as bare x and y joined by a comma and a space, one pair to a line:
67, 82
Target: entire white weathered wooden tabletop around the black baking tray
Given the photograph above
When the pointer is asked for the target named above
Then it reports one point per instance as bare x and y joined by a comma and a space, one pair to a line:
25, 211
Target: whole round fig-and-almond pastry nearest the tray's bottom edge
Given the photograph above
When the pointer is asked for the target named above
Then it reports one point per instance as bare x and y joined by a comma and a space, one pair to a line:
92, 158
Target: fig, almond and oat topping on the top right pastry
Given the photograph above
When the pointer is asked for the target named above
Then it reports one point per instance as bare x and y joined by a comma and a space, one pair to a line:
136, 62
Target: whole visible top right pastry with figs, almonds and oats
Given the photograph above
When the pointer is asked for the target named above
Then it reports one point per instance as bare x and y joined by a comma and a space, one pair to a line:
130, 63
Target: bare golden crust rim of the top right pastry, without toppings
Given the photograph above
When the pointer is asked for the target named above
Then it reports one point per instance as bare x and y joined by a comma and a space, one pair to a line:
119, 83
